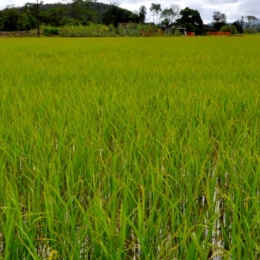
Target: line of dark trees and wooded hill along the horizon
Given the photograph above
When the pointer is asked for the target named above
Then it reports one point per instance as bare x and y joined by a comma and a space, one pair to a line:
84, 12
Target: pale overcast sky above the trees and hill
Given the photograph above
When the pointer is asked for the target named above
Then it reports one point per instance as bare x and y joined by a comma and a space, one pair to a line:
234, 9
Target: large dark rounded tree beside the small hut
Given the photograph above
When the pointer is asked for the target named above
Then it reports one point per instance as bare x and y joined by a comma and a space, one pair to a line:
191, 20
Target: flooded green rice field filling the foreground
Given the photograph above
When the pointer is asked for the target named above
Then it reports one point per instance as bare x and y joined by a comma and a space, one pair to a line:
130, 148
